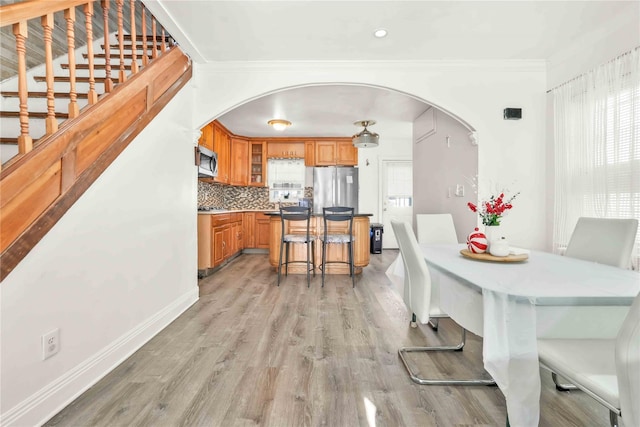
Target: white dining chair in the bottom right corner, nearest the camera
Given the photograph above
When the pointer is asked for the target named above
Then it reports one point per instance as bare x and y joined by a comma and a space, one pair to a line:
606, 369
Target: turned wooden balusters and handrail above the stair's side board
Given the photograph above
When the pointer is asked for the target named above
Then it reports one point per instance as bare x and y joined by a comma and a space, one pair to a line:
26, 14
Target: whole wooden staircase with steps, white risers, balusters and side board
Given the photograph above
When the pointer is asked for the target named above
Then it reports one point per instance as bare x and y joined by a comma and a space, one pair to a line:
65, 121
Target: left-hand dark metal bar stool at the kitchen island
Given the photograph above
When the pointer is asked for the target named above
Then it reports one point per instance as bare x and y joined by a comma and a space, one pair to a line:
296, 214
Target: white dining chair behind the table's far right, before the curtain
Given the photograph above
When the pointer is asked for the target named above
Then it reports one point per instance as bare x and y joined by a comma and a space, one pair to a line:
603, 240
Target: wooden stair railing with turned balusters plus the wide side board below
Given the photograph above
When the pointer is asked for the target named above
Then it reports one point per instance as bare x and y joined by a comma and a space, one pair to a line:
44, 180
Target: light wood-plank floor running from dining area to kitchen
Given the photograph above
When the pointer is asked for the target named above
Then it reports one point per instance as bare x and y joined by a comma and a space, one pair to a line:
251, 353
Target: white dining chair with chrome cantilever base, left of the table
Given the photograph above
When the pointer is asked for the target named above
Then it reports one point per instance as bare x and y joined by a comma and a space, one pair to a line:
418, 298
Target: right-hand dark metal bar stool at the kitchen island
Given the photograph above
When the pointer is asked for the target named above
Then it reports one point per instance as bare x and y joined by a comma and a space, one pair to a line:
333, 215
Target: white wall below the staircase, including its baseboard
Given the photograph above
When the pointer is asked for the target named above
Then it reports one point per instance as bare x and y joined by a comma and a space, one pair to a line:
115, 270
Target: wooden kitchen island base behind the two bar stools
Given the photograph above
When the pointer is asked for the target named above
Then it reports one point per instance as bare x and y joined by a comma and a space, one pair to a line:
335, 252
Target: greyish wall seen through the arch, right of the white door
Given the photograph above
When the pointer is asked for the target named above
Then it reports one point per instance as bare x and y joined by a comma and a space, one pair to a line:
439, 167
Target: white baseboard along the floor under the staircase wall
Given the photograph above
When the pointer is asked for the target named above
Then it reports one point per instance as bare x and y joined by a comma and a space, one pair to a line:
49, 400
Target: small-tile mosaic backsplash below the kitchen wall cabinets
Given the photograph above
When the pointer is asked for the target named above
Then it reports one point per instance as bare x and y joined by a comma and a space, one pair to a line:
232, 197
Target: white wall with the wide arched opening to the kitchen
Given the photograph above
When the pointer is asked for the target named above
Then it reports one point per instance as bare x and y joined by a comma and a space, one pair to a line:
476, 91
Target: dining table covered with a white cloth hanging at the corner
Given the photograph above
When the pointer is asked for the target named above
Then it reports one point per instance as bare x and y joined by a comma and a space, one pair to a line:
512, 304
